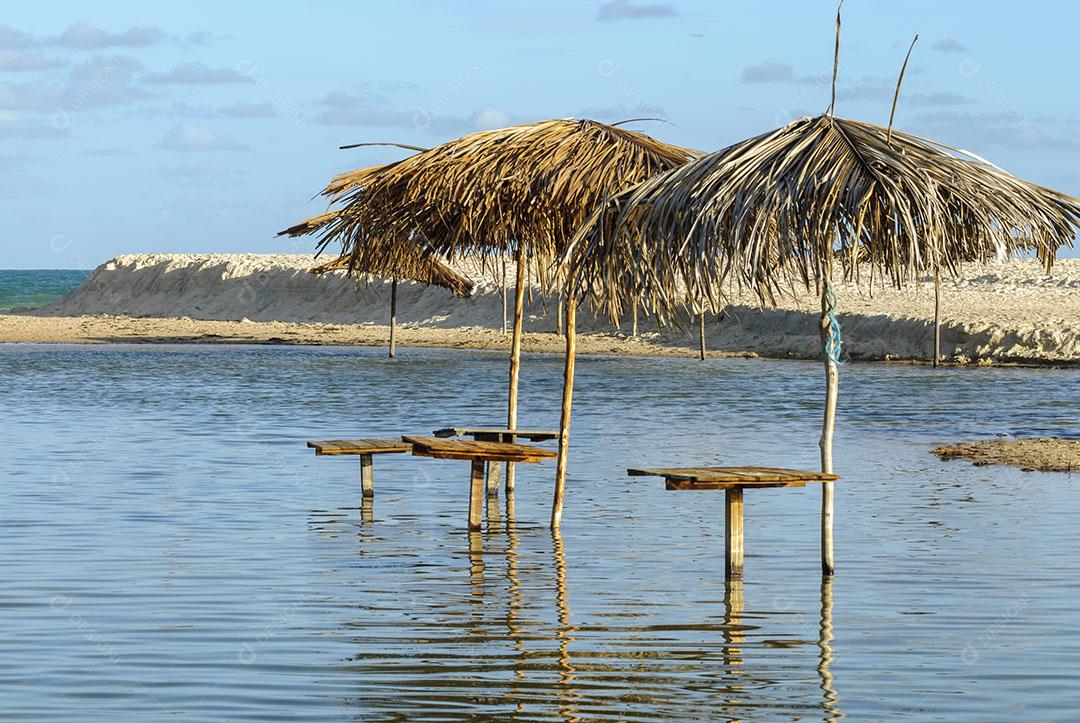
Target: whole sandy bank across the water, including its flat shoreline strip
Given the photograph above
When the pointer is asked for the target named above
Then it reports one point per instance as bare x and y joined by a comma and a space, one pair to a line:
1008, 313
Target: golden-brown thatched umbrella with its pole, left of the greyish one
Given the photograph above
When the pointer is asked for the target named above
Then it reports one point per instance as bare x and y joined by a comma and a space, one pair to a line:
520, 191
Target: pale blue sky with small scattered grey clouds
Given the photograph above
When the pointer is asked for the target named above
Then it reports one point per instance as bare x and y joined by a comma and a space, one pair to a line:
196, 127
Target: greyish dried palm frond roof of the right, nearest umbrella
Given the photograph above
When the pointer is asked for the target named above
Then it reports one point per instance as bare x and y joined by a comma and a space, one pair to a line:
779, 208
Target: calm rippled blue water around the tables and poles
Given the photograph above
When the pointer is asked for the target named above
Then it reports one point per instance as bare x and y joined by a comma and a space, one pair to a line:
169, 547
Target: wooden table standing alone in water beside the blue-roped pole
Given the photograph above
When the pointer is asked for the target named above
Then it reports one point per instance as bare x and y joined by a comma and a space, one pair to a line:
733, 480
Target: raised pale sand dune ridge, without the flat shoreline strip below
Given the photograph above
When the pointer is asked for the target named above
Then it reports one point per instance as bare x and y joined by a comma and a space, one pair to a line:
1008, 312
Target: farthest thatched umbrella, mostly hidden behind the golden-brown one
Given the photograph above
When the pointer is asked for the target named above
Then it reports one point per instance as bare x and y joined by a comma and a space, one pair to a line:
423, 266
